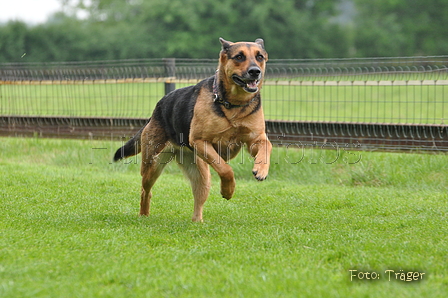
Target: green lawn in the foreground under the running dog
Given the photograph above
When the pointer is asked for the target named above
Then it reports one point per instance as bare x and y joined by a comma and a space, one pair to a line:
69, 226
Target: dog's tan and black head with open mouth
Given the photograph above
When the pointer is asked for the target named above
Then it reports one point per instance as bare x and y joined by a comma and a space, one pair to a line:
243, 63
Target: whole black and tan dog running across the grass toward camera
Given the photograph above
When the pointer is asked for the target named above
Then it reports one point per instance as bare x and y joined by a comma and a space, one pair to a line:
211, 120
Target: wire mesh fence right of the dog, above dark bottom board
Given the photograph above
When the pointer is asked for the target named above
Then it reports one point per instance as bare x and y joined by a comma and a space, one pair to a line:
387, 90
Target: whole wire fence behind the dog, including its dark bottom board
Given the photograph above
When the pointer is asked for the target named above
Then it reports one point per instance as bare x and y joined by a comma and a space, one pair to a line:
396, 103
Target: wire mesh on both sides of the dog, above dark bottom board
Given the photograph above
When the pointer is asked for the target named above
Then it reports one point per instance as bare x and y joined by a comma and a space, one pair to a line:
387, 90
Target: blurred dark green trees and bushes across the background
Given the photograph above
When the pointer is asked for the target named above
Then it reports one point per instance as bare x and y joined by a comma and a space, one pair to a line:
87, 30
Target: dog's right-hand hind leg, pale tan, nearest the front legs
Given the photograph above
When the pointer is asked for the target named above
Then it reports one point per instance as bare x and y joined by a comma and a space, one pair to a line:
198, 173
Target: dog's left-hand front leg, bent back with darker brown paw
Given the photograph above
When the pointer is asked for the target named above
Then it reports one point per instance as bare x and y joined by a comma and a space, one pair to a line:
205, 150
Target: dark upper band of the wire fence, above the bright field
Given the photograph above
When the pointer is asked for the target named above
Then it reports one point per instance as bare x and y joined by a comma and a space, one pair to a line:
404, 68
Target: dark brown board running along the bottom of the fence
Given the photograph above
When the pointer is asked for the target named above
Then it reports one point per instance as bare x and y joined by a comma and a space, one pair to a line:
337, 135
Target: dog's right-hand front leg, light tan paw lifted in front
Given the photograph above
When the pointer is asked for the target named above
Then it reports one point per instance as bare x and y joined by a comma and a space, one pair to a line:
261, 149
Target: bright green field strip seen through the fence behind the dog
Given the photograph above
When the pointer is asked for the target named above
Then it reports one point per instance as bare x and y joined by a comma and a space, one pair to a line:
384, 104
